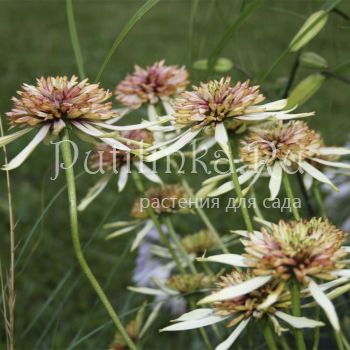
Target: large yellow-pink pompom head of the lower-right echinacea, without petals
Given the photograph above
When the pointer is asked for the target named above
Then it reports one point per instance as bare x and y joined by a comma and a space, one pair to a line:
299, 249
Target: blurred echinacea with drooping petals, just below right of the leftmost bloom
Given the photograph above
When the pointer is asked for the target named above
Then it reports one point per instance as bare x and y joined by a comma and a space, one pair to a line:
109, 161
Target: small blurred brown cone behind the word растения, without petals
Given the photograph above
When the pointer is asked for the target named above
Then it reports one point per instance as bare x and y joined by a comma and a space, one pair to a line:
163, 200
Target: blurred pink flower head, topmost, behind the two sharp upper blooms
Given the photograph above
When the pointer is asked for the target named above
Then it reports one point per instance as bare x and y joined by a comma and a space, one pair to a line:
151, 85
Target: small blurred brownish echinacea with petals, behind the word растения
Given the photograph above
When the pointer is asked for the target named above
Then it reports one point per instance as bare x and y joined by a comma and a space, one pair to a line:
165, 200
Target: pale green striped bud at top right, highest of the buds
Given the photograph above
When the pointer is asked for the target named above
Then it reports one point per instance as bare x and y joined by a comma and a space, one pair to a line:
312, 26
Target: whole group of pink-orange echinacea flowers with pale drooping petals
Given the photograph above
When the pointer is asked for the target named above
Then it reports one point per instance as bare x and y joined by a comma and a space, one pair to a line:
308, 254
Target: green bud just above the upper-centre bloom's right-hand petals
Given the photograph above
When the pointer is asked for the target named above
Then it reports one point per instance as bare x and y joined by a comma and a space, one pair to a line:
305, 90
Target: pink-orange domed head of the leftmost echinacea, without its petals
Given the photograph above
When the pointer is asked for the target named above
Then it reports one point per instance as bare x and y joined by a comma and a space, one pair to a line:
56, 100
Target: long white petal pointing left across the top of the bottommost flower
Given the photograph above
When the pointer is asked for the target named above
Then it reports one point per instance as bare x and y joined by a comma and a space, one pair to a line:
237, 290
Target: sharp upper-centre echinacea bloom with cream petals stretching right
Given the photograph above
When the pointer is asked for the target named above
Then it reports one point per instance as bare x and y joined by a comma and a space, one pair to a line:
212, 105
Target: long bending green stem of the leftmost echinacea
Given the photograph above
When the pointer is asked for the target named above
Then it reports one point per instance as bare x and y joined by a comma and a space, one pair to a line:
67, 158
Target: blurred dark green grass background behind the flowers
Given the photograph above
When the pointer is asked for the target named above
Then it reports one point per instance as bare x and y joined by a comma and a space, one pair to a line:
55, 306
